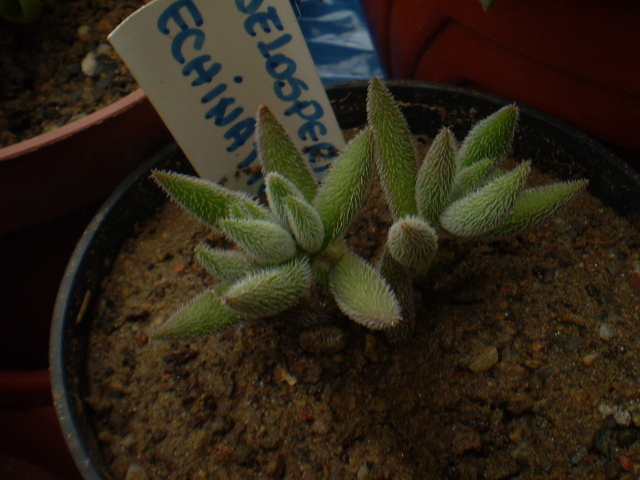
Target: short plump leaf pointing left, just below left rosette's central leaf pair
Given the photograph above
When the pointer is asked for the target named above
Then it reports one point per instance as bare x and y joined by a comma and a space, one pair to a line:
265, 241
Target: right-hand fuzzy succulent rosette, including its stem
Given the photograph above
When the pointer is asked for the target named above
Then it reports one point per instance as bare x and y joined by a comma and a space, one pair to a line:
457, 189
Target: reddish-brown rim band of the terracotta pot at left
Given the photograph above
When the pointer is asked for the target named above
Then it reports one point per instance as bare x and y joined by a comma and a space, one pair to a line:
76, 165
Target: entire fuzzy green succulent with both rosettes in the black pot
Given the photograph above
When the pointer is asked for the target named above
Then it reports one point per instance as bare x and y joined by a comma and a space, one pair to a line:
287, 248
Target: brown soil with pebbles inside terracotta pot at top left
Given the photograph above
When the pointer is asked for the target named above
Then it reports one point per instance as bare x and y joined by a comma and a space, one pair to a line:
48, 77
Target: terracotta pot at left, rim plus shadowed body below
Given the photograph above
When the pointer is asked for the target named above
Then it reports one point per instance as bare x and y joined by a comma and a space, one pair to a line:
50, 187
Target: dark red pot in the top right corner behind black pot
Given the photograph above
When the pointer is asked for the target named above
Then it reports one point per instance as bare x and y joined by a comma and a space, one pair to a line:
575, 59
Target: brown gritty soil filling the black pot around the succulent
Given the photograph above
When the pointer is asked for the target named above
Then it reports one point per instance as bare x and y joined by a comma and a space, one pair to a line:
524, 365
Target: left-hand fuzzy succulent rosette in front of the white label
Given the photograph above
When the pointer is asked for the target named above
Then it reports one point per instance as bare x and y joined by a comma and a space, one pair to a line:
286, 246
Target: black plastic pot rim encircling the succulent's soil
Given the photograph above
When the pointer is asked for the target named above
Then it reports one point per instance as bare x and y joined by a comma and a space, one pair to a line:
552, 144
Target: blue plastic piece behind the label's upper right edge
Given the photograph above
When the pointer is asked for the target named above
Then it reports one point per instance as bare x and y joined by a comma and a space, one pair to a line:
338, 39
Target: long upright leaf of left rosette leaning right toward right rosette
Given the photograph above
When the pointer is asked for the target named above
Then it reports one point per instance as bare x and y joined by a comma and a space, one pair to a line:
344, 191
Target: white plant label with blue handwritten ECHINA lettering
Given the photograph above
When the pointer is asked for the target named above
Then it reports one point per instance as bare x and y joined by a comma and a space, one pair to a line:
207, 65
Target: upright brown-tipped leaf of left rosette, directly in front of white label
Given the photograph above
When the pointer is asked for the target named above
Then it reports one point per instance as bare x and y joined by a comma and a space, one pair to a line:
278, 153
